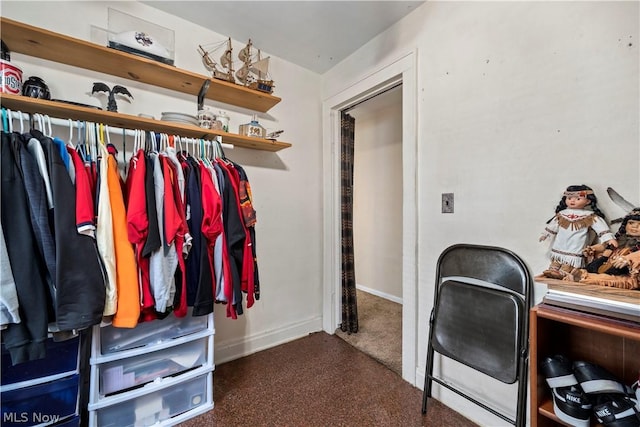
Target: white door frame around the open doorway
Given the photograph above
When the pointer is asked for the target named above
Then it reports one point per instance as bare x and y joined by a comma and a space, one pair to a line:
401, 70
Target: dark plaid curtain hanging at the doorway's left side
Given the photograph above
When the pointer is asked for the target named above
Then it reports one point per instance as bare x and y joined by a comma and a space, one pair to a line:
349, 302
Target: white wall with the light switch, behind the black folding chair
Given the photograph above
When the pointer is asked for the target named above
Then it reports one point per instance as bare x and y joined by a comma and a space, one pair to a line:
516, 101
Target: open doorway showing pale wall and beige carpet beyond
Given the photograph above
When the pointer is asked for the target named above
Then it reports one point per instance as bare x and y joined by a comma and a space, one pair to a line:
377, 225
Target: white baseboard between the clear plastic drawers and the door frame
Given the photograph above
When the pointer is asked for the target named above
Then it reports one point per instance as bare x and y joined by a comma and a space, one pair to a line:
237, 348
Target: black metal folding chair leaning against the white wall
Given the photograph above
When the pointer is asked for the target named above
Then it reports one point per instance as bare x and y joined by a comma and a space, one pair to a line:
480, 318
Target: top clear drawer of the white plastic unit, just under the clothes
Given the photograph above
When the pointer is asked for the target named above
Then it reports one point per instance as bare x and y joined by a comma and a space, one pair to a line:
150, 333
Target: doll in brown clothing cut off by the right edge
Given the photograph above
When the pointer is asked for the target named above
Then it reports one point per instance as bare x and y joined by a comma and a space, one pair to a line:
616, 267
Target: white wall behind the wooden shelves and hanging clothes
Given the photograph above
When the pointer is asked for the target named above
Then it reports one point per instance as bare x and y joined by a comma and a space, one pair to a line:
286, 185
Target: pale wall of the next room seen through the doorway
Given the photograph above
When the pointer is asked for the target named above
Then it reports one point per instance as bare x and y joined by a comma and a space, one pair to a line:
377, 205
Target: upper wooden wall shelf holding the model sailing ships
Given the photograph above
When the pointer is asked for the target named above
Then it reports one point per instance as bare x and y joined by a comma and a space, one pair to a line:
45, 44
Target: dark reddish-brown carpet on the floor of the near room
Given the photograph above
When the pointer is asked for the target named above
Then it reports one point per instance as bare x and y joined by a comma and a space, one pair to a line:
318, 380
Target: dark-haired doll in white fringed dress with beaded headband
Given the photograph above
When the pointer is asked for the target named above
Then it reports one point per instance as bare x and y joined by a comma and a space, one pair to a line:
577, 218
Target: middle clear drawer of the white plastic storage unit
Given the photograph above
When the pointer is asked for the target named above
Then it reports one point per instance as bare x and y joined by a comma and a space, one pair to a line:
136, 371
